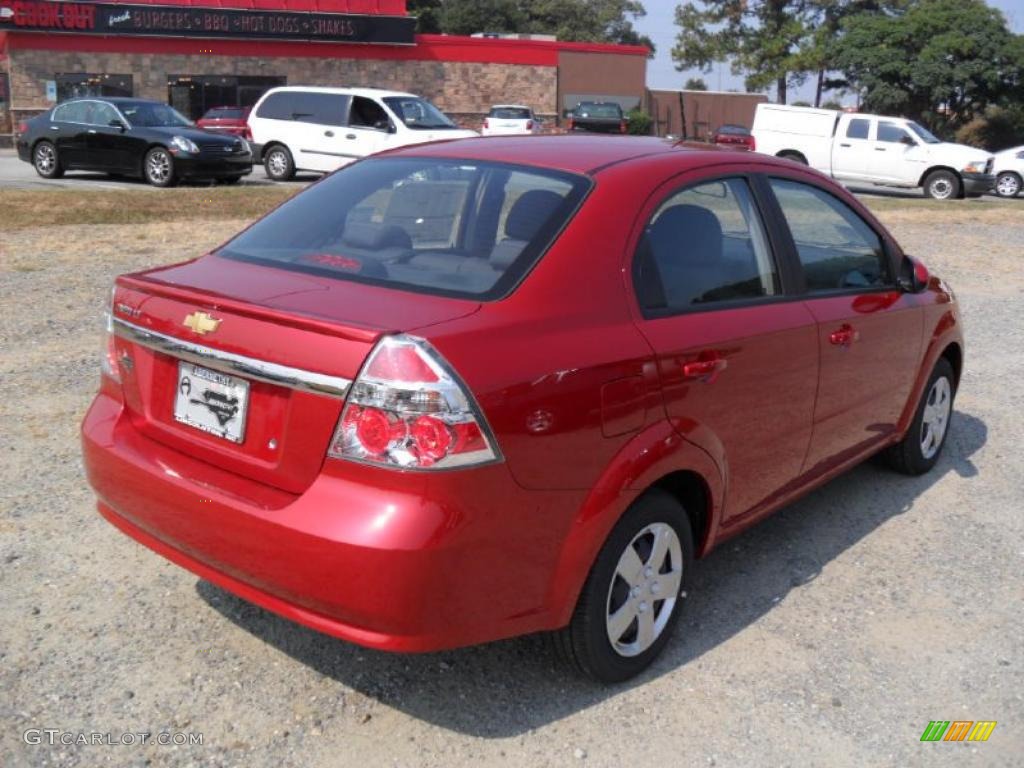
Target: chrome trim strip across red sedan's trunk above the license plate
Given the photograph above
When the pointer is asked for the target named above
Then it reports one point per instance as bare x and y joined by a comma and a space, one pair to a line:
238, 365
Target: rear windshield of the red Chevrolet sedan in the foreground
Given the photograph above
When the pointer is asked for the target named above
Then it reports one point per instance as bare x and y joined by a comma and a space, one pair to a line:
452, 228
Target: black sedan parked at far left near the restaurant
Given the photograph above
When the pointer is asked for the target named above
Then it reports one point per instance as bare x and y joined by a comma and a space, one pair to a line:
132, 138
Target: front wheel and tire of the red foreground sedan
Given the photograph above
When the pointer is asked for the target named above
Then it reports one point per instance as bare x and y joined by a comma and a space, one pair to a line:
923, 444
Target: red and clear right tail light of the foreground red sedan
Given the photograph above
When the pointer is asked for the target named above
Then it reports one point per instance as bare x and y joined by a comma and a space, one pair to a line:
409, 410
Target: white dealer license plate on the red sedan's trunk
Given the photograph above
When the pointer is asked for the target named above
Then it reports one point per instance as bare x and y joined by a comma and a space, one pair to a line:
212, 402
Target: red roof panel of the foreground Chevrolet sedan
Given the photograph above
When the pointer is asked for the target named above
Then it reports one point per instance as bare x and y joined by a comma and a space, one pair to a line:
572, 153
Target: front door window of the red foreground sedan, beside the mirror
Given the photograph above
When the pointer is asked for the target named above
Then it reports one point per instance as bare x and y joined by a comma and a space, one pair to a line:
838, 250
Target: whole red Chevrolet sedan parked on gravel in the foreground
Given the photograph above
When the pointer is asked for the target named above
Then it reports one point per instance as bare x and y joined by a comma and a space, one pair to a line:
474, 390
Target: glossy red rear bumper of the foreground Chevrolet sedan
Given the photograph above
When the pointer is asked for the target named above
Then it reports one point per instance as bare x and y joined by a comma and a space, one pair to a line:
390, 561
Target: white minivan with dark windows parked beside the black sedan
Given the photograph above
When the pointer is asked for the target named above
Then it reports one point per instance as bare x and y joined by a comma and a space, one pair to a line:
322, 130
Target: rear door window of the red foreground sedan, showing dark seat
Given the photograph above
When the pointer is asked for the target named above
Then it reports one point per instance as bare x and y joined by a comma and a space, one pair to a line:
706, 244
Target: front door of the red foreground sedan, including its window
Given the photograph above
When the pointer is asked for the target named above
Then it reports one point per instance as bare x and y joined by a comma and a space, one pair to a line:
870, 333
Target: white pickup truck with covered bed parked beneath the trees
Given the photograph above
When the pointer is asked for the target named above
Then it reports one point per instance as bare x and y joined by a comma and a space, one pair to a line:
873, 149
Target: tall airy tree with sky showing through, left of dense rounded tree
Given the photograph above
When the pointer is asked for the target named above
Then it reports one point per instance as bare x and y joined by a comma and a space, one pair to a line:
762, 38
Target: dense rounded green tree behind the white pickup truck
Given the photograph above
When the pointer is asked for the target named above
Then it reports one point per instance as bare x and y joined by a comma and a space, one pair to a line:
943, 62
